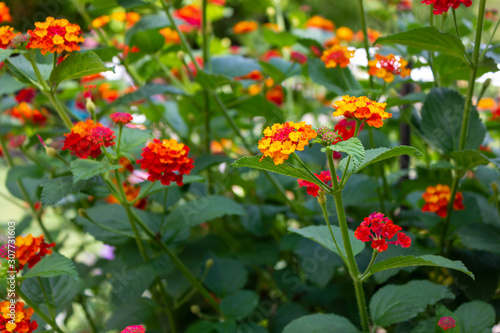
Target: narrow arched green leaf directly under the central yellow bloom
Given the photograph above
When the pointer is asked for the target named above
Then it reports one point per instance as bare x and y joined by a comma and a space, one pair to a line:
267, 164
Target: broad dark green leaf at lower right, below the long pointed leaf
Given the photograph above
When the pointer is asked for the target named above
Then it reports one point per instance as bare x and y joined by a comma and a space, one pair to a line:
396, 303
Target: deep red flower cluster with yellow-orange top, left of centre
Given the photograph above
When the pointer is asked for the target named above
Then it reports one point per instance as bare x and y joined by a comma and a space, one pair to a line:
166, 161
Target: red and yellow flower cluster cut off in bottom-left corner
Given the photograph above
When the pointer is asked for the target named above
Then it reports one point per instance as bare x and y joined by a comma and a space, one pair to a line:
23, 322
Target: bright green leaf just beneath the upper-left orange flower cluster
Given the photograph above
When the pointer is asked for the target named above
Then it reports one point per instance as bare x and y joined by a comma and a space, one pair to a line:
78, 65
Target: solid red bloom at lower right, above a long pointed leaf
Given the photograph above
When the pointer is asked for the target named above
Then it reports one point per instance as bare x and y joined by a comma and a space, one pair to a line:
379, 229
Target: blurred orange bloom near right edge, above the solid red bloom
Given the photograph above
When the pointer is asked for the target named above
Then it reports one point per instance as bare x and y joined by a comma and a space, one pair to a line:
437, 199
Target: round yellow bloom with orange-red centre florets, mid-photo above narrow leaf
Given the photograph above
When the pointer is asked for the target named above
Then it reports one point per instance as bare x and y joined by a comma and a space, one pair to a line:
281, 140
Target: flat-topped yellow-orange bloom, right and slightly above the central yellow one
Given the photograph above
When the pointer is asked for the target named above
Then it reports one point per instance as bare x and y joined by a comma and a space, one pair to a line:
361, 108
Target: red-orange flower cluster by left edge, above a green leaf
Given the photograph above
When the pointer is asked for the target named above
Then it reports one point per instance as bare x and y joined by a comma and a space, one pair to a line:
30, 250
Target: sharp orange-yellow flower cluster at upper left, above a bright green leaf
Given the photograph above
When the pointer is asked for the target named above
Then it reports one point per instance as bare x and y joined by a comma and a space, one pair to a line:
55, 36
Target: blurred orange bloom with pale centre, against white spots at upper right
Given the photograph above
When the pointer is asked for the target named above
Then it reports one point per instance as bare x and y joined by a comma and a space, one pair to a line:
386, 67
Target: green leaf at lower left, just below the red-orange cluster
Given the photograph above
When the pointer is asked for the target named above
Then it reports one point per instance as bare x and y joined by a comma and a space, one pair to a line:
53, 265
